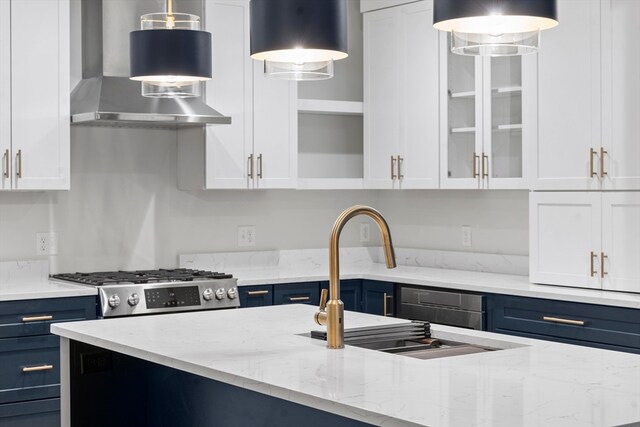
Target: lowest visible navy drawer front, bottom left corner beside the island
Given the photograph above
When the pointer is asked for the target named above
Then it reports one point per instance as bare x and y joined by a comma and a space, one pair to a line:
41, 413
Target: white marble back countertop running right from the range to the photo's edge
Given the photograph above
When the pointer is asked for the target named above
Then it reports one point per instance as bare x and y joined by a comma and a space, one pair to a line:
442, 278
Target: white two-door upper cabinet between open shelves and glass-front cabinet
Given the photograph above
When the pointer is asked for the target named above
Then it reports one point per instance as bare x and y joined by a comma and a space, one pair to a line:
401, 120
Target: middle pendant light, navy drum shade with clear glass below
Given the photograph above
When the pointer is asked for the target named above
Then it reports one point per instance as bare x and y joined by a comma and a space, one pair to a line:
299, 39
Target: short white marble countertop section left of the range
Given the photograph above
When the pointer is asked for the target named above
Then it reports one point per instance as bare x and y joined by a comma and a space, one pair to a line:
42, 289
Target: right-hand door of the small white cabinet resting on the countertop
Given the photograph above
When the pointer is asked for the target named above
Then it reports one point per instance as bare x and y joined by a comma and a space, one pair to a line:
621, 241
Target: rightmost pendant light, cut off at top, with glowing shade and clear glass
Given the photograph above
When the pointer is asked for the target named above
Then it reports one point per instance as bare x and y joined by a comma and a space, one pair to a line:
494, 27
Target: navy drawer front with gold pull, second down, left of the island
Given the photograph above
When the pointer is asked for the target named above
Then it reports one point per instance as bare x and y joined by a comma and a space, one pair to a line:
29, 352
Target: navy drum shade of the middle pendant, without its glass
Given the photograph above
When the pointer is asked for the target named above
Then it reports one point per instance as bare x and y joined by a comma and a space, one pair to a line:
278, 25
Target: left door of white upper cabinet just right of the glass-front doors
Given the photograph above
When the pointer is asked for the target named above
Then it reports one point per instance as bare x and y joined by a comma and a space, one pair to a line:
569, 104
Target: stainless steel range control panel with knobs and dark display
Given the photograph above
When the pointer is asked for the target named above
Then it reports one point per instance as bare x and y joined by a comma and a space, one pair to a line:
135, 299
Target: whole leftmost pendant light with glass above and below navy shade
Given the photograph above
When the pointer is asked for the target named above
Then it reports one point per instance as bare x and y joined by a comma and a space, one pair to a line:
170, 55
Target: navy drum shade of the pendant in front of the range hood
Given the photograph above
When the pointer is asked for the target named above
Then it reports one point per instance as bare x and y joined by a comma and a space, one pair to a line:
184, 53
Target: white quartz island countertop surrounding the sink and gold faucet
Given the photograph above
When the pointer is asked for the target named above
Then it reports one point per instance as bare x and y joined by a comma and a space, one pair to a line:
531, 383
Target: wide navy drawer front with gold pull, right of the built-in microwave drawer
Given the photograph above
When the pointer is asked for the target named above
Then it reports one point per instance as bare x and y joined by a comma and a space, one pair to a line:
608, 327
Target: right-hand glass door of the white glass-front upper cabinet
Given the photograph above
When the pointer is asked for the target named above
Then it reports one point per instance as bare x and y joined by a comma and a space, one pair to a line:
503, 122
